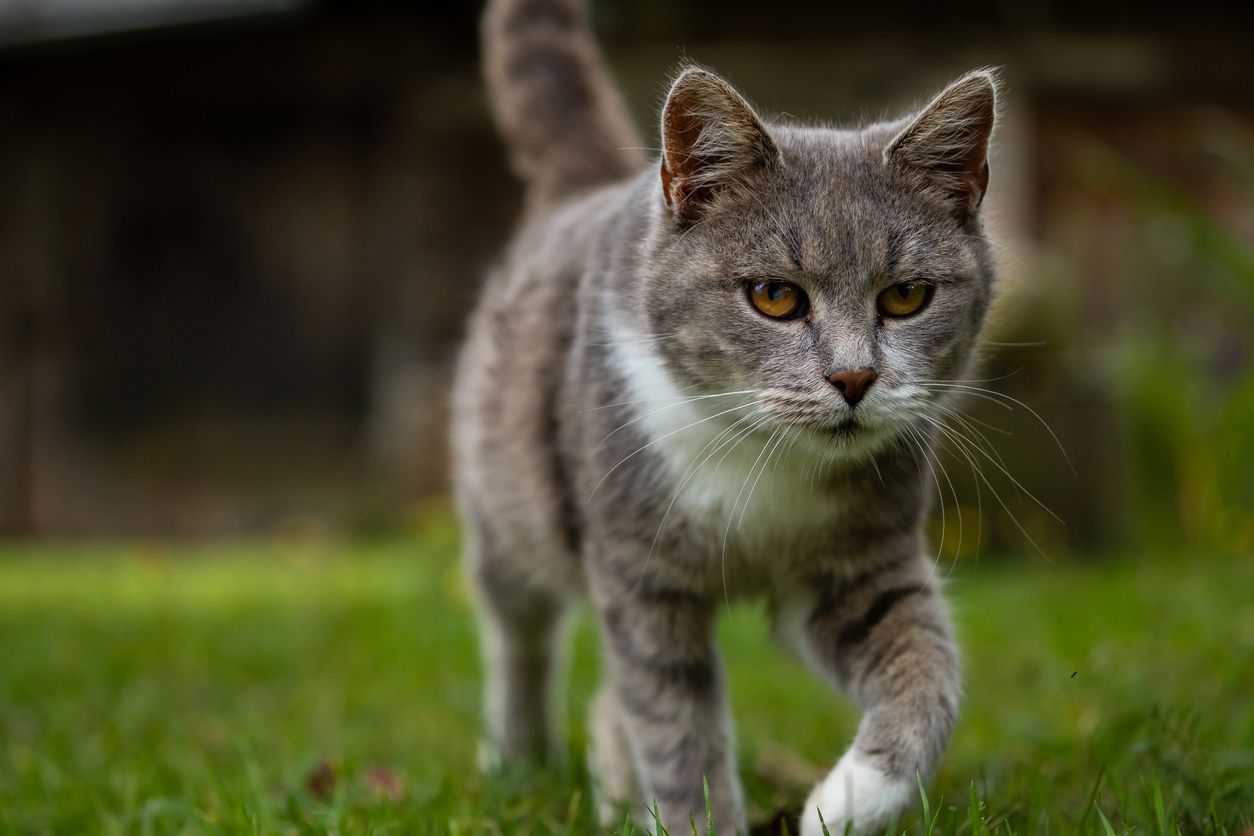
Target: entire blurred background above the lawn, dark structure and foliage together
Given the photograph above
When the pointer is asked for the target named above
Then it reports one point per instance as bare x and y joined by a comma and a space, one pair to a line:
239, 239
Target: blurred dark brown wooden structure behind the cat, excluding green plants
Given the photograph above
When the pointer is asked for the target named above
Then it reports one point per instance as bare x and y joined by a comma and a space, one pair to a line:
235, 258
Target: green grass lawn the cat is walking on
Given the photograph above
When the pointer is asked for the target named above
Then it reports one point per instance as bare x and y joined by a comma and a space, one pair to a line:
201, 690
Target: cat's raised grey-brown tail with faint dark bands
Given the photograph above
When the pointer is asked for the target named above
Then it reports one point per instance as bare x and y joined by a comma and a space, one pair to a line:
555, 102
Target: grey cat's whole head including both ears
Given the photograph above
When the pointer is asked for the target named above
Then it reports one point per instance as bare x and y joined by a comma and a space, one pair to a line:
836, 278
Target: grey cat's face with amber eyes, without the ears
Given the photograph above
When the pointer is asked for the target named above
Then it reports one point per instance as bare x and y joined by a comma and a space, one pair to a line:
833, 289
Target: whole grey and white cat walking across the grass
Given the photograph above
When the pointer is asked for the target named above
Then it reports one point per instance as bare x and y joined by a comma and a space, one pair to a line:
714, 377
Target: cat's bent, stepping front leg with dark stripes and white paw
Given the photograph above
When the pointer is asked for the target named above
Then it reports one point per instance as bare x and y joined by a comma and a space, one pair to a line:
887, 640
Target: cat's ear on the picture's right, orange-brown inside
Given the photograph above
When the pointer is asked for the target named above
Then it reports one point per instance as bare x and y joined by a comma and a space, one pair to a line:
947, 144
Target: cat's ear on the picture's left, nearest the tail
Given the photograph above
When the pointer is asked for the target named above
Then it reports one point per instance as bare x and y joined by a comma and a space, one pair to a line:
713, 144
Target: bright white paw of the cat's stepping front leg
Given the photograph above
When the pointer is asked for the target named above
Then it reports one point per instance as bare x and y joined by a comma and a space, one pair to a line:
857, 793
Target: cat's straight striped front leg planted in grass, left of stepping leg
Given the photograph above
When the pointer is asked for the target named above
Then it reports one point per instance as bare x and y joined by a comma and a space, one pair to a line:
670, 698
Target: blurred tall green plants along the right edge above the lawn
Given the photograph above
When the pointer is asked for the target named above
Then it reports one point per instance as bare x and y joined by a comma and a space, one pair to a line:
1183, 362
